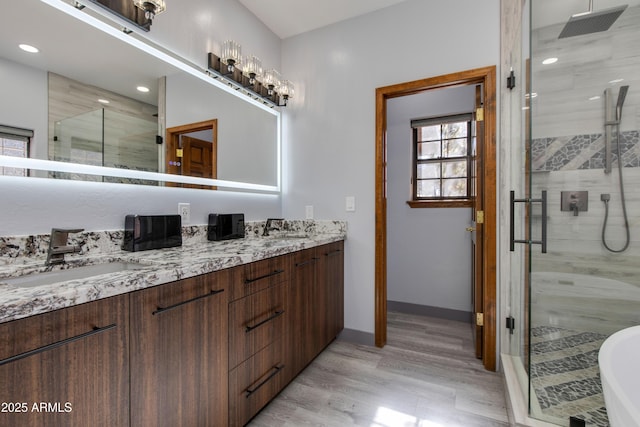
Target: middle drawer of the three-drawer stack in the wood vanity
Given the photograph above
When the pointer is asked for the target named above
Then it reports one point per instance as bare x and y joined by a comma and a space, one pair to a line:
256, 321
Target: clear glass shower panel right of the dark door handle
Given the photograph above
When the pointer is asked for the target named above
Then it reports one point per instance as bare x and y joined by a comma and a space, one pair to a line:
581, 292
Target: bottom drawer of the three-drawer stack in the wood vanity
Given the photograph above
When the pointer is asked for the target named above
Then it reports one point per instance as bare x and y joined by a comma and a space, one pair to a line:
255, 382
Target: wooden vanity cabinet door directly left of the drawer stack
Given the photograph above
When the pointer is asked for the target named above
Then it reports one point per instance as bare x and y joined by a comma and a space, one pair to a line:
179, 360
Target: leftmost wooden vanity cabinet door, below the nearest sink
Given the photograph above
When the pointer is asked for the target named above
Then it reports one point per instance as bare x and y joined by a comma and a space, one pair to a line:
68, 367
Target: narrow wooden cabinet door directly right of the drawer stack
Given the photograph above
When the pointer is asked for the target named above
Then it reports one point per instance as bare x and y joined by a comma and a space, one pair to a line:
303, 306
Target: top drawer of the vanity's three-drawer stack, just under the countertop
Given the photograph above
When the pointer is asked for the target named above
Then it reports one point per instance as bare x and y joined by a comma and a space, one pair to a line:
259, 275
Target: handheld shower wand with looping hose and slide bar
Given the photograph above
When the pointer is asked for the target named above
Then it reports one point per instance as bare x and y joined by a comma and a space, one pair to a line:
622, 93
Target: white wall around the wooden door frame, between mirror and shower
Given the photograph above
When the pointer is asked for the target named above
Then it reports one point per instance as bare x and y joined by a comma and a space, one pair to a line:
329, 128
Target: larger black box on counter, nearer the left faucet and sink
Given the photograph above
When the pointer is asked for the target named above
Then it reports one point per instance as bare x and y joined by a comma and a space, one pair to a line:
145, 232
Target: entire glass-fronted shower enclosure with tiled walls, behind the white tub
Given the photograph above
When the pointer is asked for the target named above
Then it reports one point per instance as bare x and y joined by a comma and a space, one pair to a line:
573, 122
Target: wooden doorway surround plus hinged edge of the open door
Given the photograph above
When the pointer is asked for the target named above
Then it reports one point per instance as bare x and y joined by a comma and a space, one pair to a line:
484, 203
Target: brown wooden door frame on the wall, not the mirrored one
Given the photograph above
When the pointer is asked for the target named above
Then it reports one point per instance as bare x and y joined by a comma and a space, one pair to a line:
487, 77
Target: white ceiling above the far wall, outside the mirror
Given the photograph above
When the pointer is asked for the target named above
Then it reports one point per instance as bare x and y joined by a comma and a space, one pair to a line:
288, 18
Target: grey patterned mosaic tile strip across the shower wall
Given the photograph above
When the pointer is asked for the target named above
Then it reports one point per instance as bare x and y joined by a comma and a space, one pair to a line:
583, 152
